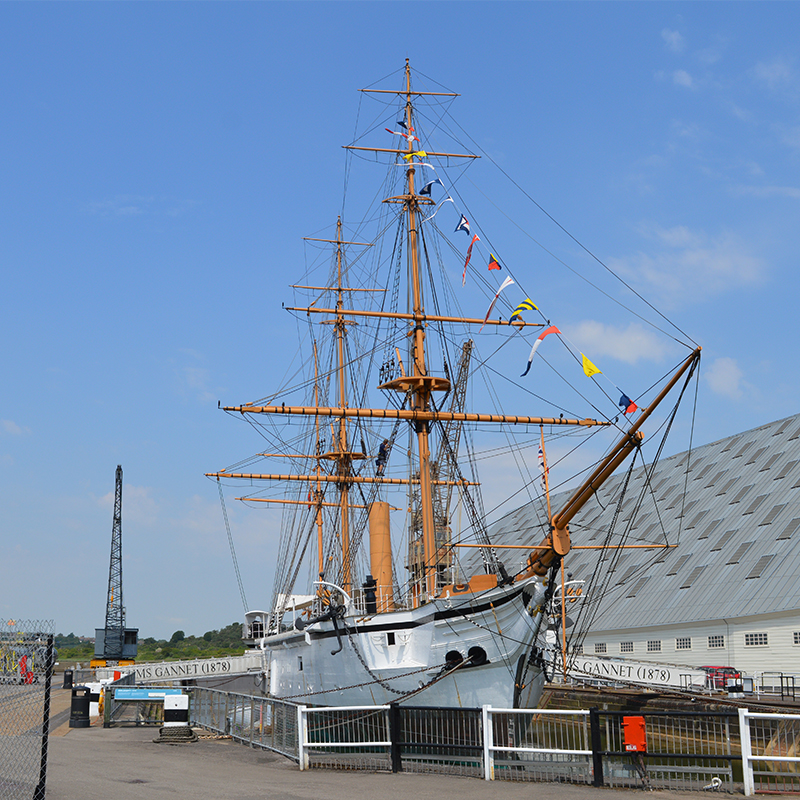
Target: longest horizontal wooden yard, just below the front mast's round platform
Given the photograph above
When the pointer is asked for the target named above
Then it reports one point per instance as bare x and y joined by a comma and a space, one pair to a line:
412, 415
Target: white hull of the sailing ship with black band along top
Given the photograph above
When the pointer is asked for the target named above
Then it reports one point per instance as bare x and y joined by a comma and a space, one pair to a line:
411, 656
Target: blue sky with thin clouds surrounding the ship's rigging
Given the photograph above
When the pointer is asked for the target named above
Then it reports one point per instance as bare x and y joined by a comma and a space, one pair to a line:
162, 162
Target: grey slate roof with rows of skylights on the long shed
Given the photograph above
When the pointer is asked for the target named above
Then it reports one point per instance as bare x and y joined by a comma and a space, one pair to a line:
737, 531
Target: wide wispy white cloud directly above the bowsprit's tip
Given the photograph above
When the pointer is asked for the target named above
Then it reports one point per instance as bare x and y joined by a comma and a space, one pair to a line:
690, 264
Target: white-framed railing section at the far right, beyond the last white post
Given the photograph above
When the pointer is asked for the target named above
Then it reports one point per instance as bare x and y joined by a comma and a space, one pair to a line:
770, 751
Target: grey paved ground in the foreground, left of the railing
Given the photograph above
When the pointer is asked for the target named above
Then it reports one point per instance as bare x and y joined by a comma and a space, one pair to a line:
123, 763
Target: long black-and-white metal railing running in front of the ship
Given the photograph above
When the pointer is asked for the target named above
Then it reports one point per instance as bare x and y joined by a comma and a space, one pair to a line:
677, 750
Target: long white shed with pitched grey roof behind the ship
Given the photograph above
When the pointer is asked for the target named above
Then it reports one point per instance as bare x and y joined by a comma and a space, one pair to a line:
727, 589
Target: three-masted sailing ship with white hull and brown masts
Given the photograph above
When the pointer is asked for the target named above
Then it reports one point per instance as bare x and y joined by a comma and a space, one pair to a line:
436, 616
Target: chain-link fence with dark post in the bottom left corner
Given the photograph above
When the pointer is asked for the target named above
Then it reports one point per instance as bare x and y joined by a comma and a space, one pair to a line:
26, 672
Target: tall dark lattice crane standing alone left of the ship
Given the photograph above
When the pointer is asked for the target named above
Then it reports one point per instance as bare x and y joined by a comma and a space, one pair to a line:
115, 644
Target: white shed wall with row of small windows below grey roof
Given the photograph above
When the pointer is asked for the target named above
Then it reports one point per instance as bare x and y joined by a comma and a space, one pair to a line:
781, 653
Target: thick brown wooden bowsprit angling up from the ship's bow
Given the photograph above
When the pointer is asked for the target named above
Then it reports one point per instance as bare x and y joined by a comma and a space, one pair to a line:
557, 543
